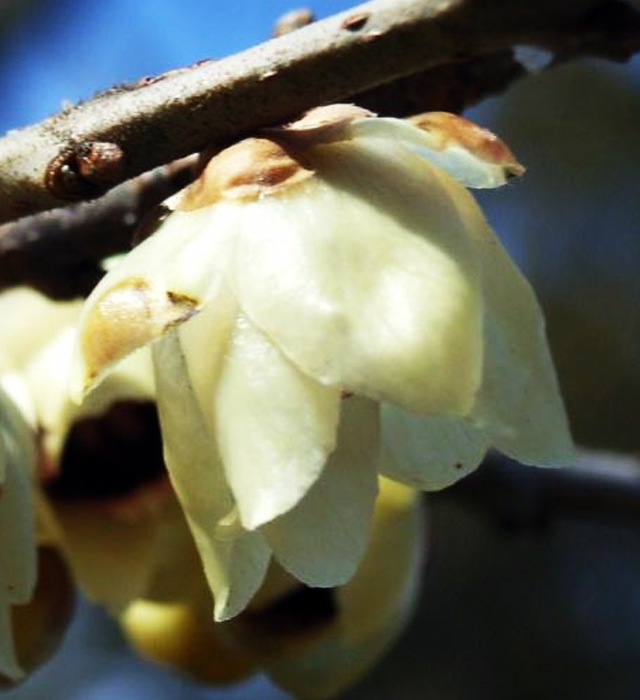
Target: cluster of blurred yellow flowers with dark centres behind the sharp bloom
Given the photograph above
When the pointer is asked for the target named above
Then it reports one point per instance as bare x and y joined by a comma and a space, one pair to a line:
130, 548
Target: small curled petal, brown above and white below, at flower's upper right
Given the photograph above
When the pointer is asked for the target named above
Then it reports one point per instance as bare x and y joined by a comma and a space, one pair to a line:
471, 154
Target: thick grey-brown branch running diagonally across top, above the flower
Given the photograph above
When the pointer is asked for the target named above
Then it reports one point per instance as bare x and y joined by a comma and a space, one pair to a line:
84, 151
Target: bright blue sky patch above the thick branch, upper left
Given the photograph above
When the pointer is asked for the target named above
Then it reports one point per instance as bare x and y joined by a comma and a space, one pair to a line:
69, 49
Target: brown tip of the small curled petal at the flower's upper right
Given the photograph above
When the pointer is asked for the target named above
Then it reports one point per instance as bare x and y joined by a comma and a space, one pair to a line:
450, 129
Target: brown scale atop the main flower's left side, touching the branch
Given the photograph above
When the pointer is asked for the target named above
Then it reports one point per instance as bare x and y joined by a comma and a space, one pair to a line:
246, 170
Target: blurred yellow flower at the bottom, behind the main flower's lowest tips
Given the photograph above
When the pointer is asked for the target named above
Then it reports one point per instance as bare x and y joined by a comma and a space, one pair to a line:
311, 642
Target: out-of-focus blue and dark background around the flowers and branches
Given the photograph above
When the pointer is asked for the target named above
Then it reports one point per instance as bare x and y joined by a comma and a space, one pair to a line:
543, 613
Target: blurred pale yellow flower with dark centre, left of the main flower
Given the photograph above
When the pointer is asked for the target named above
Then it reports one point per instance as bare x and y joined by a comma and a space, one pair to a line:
109, 550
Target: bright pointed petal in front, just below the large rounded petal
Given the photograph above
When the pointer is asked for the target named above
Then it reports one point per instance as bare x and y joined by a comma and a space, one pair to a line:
275, 426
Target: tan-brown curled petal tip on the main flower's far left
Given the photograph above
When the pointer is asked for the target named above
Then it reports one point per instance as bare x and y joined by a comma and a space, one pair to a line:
128, 316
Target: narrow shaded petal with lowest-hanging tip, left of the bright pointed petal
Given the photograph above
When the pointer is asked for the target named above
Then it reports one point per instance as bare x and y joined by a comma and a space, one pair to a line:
235, 561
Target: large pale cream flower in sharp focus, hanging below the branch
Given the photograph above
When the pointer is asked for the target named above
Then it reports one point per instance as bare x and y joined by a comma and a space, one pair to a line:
309, 275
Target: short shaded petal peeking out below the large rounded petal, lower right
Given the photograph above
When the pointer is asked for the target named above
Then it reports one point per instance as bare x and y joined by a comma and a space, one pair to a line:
430, 453
